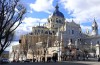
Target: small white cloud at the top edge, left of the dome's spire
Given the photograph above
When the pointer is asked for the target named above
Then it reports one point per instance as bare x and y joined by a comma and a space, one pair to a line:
42, 6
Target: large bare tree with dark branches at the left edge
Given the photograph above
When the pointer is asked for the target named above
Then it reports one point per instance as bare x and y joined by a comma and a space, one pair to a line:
11, 14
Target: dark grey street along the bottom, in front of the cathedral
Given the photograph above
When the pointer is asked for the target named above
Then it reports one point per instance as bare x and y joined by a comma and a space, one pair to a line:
59, 63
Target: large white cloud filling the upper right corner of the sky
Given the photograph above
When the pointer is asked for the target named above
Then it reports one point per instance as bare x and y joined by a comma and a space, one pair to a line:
83, 10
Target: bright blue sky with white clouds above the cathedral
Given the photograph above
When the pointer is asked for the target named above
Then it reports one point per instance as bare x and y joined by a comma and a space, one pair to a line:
82, 12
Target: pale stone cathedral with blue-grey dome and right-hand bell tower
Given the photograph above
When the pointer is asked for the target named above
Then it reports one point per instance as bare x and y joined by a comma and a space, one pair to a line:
62, 39
